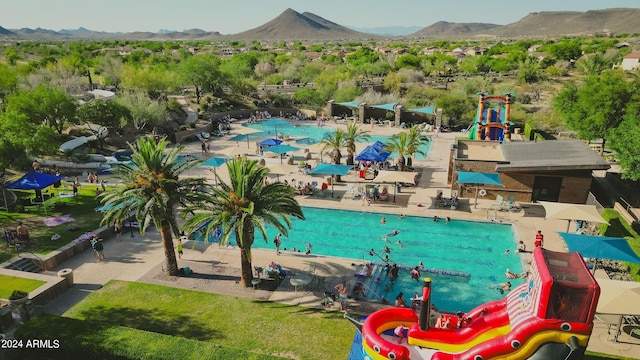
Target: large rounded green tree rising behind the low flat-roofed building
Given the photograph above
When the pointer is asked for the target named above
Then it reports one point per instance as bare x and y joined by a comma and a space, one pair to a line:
596, 107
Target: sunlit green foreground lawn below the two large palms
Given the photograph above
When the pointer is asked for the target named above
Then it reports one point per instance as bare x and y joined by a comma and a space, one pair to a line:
231, 322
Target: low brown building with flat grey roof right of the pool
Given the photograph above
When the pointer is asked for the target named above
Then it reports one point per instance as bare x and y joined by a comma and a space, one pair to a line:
553, 170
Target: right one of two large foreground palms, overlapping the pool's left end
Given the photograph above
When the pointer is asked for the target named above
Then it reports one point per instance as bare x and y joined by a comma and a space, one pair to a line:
242, 206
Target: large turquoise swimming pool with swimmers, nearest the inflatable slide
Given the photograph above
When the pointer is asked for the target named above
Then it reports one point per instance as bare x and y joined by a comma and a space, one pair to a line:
476, 248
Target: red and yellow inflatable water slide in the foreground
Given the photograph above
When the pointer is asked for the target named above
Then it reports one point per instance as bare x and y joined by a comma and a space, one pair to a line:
550, 316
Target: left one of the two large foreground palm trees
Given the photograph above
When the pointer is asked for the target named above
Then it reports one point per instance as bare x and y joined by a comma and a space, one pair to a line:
151, 190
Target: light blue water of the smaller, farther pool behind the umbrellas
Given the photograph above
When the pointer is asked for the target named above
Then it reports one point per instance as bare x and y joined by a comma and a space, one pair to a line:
304, 133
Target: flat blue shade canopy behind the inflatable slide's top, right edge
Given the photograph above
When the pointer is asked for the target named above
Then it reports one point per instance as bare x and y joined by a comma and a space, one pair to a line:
600, 247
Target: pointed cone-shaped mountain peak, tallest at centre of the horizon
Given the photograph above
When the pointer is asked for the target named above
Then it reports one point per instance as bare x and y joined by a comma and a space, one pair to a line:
291, 25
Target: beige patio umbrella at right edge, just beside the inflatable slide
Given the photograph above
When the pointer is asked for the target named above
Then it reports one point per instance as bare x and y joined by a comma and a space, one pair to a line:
618, 298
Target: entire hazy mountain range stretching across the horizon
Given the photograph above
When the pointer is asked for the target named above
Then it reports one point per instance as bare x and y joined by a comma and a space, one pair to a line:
291, 25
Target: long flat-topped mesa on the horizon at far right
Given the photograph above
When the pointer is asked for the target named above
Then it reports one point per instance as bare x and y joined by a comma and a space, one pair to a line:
618, 21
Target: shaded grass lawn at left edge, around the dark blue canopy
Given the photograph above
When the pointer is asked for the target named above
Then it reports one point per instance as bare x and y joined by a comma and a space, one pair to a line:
81, 209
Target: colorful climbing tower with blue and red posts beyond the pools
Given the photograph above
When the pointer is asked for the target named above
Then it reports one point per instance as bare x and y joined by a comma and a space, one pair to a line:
493, 120
